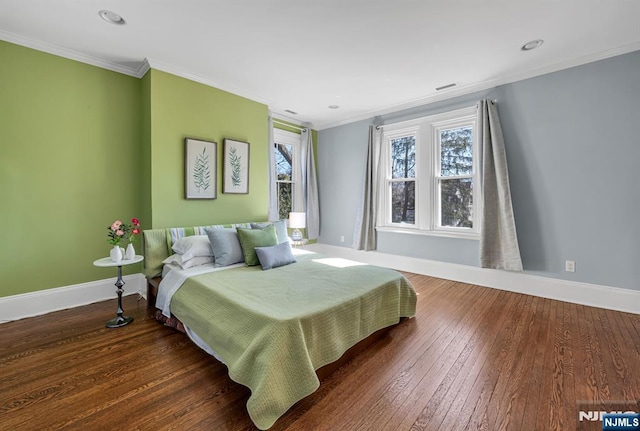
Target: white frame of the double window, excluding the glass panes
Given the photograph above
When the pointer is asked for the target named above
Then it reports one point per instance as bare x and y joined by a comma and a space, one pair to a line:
428, 205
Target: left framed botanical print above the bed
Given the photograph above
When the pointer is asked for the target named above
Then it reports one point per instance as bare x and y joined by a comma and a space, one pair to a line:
200, 169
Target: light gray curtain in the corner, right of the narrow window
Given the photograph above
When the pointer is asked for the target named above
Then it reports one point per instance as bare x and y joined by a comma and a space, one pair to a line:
309, 184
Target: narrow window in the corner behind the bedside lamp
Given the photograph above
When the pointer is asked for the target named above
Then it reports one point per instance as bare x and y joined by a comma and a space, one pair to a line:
286, 148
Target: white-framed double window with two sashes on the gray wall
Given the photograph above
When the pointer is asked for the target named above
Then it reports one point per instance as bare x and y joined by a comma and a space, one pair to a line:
430, 177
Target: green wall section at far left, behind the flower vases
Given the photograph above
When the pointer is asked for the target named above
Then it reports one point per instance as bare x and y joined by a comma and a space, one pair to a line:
70, 164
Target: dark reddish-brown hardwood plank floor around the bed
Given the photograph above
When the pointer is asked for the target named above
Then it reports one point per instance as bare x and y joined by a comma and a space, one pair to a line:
473, 358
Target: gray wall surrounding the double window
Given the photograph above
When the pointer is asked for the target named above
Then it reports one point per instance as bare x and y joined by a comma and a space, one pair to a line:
573, 150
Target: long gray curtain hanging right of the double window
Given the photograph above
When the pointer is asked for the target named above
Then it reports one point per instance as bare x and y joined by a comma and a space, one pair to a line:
498, 240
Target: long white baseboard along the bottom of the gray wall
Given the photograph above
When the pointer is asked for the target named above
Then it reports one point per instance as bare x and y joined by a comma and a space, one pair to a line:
594, 295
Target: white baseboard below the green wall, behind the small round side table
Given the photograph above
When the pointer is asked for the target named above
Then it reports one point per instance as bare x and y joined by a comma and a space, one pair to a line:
31, 304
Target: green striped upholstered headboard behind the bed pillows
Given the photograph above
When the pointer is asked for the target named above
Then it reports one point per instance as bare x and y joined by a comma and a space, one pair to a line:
158, 242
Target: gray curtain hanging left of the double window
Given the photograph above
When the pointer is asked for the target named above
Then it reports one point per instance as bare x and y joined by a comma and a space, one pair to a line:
364, 235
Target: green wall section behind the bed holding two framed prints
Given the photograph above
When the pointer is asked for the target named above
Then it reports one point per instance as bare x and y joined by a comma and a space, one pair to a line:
181, 108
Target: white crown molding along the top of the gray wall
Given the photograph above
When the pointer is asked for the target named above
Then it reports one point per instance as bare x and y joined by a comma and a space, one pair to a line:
484, 85
